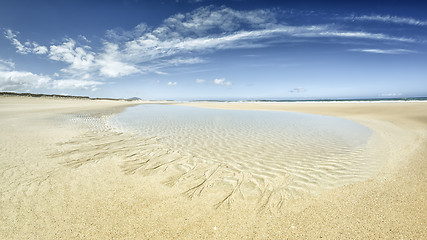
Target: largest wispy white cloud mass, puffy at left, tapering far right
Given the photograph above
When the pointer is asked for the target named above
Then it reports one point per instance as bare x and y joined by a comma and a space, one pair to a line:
204, 29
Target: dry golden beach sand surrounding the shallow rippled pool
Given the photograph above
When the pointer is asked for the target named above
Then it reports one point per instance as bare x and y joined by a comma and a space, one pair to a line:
65, 174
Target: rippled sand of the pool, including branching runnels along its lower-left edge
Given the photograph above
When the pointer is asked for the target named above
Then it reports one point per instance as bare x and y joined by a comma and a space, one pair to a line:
262, 157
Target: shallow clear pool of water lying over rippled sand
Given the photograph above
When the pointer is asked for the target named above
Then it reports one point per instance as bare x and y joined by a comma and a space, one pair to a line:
256, 150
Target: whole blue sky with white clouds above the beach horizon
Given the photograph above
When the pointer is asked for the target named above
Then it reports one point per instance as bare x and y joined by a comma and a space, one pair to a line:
206, 49
